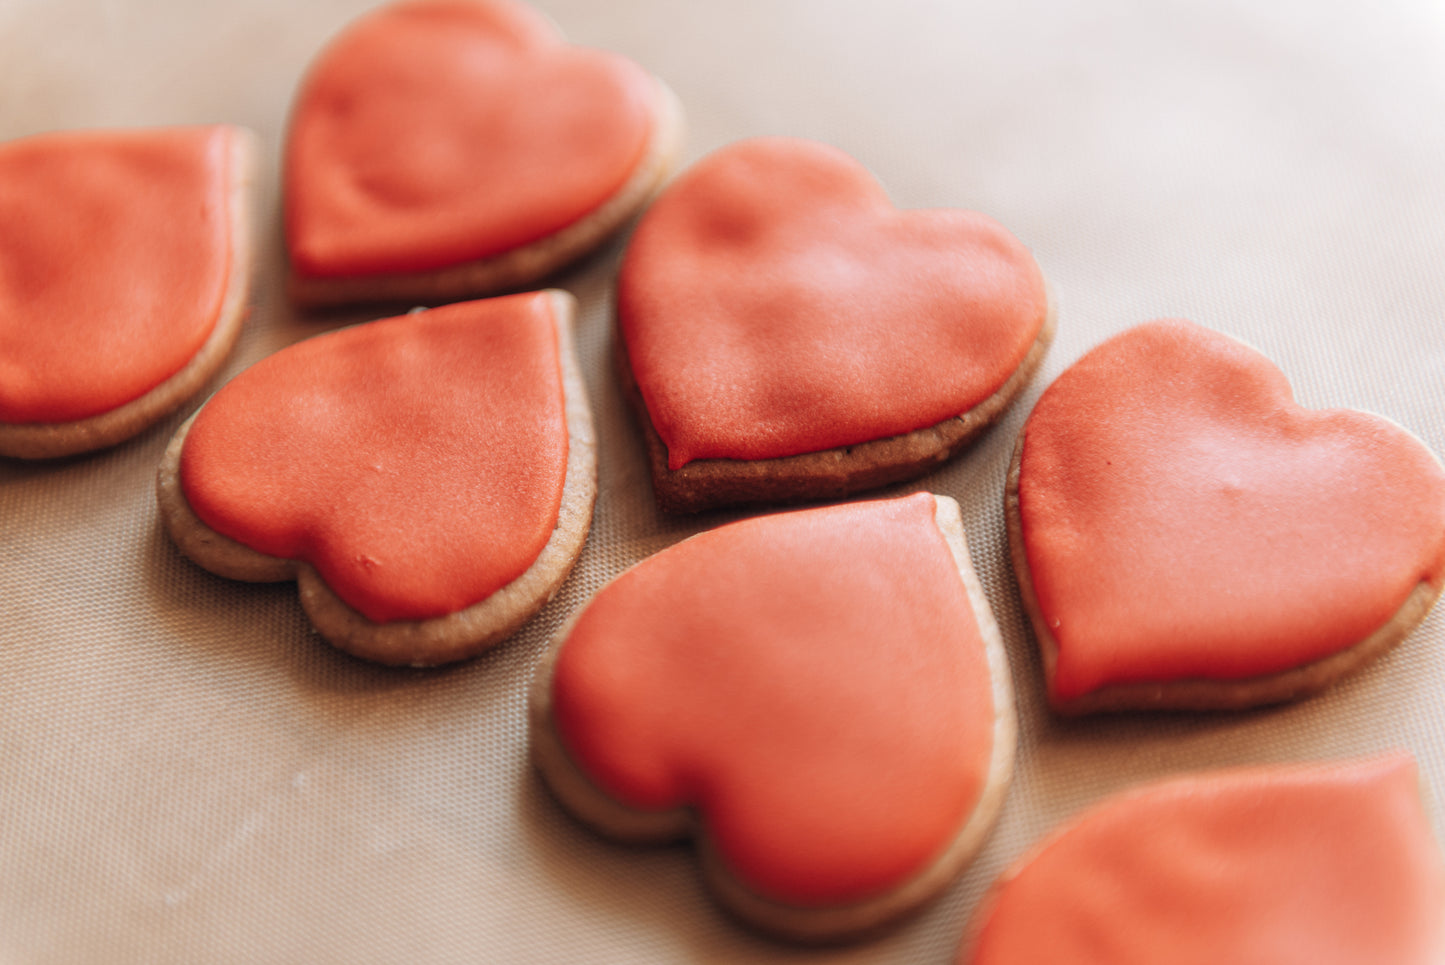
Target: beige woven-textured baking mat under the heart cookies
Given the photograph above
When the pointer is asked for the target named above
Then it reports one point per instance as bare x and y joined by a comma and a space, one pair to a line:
189, 775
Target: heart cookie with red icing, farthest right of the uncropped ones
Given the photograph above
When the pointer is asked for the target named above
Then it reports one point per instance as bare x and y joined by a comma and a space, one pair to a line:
1186, 535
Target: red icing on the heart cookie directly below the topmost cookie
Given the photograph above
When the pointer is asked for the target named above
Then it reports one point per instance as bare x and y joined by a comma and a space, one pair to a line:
417, 462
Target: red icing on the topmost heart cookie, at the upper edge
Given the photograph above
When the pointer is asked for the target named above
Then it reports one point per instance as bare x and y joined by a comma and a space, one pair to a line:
440, 132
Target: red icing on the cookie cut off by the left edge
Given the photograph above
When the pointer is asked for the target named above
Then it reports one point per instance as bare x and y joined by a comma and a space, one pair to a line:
115, 258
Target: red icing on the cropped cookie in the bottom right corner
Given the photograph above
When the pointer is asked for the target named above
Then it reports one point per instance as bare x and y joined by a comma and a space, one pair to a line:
1321, 866
